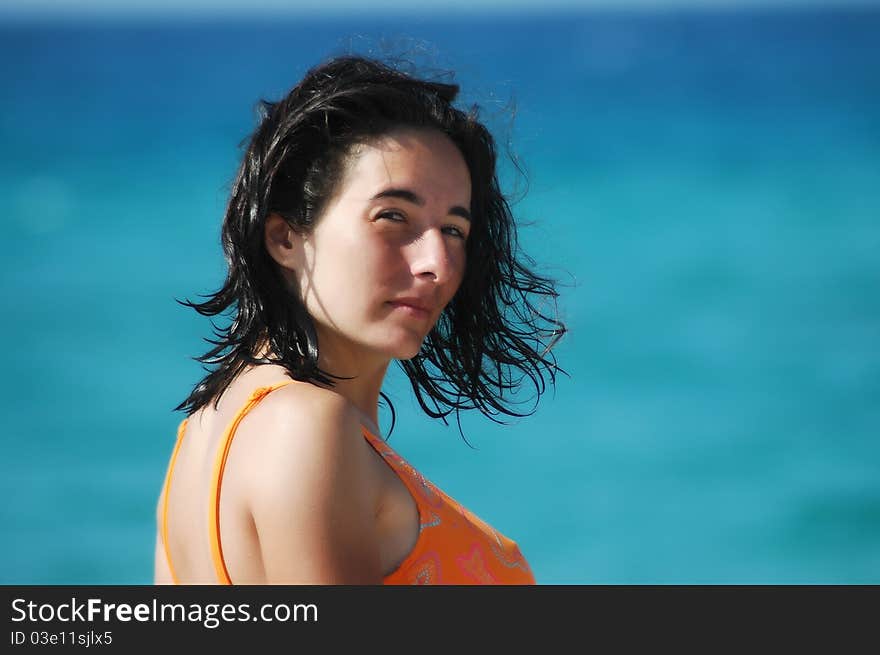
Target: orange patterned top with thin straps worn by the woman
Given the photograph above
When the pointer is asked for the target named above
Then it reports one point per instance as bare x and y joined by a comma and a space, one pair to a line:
454, 547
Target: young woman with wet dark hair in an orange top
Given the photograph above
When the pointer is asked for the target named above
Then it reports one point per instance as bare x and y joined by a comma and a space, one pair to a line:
365, 225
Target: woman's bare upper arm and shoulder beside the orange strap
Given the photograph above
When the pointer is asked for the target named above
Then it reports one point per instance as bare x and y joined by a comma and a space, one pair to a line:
312, 502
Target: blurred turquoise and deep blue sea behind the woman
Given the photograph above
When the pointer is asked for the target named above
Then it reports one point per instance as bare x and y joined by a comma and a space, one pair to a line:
706, 185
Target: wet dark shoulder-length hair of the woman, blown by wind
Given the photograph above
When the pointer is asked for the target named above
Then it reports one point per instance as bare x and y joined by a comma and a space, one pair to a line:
494, 334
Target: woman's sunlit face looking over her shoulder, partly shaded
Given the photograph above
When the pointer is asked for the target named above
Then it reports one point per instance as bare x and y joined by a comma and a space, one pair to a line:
388, 252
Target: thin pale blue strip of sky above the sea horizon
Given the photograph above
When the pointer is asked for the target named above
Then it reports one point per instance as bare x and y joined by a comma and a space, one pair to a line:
311, 6
